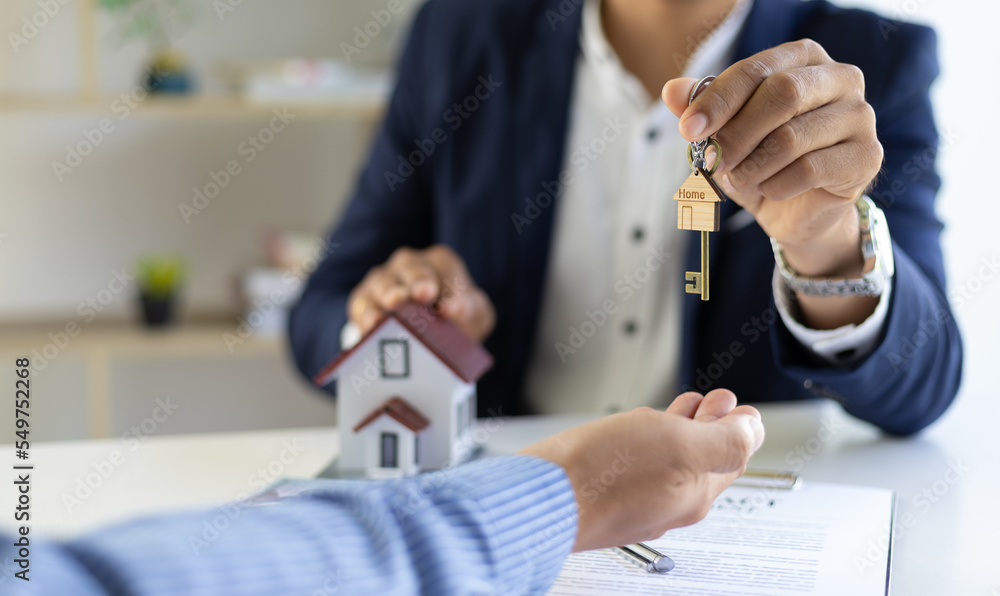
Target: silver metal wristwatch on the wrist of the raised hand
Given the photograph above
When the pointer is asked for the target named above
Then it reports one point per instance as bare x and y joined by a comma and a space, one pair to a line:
876, 247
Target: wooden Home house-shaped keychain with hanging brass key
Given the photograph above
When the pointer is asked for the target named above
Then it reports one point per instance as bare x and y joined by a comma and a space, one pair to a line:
698, 200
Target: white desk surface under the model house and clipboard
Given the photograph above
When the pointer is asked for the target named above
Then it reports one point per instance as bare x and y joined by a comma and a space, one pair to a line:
948, 547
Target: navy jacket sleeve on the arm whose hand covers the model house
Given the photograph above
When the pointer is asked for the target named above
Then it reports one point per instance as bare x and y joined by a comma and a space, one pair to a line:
391, 207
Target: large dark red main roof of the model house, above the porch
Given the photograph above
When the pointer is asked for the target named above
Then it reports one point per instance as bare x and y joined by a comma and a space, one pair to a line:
465, 357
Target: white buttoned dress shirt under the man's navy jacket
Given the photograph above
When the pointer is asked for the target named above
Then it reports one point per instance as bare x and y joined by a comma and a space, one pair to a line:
610, 328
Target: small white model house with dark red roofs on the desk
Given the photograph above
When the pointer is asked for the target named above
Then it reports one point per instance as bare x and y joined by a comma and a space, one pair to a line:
406, 394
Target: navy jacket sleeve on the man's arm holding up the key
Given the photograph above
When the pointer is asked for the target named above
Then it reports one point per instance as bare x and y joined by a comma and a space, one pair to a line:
914, 372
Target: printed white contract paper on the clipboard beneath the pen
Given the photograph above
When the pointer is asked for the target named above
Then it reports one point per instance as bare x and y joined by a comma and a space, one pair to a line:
817, 539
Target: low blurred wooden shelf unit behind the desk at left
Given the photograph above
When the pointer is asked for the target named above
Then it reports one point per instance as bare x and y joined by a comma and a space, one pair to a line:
119, 380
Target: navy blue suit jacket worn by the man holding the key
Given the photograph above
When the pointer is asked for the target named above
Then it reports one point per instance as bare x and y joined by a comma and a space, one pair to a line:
481, 105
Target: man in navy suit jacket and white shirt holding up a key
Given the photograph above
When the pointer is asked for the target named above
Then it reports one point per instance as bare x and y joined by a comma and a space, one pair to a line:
522, 181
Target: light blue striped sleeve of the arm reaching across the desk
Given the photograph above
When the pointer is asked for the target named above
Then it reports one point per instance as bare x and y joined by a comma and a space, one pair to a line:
498, 526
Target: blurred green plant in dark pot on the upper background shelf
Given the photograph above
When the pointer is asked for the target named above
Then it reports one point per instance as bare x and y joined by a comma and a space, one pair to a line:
157, 23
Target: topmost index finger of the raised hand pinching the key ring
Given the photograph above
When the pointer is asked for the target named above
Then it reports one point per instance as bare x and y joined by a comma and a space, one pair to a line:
727, 94
